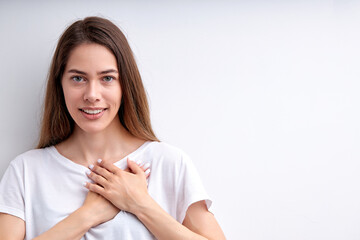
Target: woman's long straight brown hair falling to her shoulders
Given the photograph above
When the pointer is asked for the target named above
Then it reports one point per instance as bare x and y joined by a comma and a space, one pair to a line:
57, 124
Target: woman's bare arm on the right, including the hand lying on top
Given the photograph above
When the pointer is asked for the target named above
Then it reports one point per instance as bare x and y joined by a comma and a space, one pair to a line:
128, 191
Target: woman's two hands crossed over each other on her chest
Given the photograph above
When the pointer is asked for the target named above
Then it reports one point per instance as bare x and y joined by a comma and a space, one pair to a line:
115, 189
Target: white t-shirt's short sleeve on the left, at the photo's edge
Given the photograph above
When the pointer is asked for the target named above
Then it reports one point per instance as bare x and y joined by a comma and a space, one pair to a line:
12, 192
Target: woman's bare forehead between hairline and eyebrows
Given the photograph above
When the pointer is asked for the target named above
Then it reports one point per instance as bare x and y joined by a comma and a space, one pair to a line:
91, 57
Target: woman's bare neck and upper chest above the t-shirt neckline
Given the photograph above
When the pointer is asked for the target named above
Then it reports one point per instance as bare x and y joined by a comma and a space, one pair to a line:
112, 144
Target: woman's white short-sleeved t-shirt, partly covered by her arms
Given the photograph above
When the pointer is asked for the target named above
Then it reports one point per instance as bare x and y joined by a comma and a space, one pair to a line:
42, 187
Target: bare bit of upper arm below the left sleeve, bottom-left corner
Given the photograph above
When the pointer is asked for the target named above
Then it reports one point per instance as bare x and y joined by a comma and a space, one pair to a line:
11, 227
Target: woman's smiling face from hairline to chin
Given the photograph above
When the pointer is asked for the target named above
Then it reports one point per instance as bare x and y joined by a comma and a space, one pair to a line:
91, 87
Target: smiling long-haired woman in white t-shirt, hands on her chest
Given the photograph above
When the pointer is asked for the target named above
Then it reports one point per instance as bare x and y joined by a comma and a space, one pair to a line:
90, 176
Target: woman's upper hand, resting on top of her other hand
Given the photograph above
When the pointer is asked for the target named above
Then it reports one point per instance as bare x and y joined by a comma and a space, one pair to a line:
126, 190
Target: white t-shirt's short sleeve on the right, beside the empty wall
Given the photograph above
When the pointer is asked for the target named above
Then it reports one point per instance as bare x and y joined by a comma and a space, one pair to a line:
190, 188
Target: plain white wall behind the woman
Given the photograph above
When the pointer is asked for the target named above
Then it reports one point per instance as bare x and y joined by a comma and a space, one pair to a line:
263, 95
